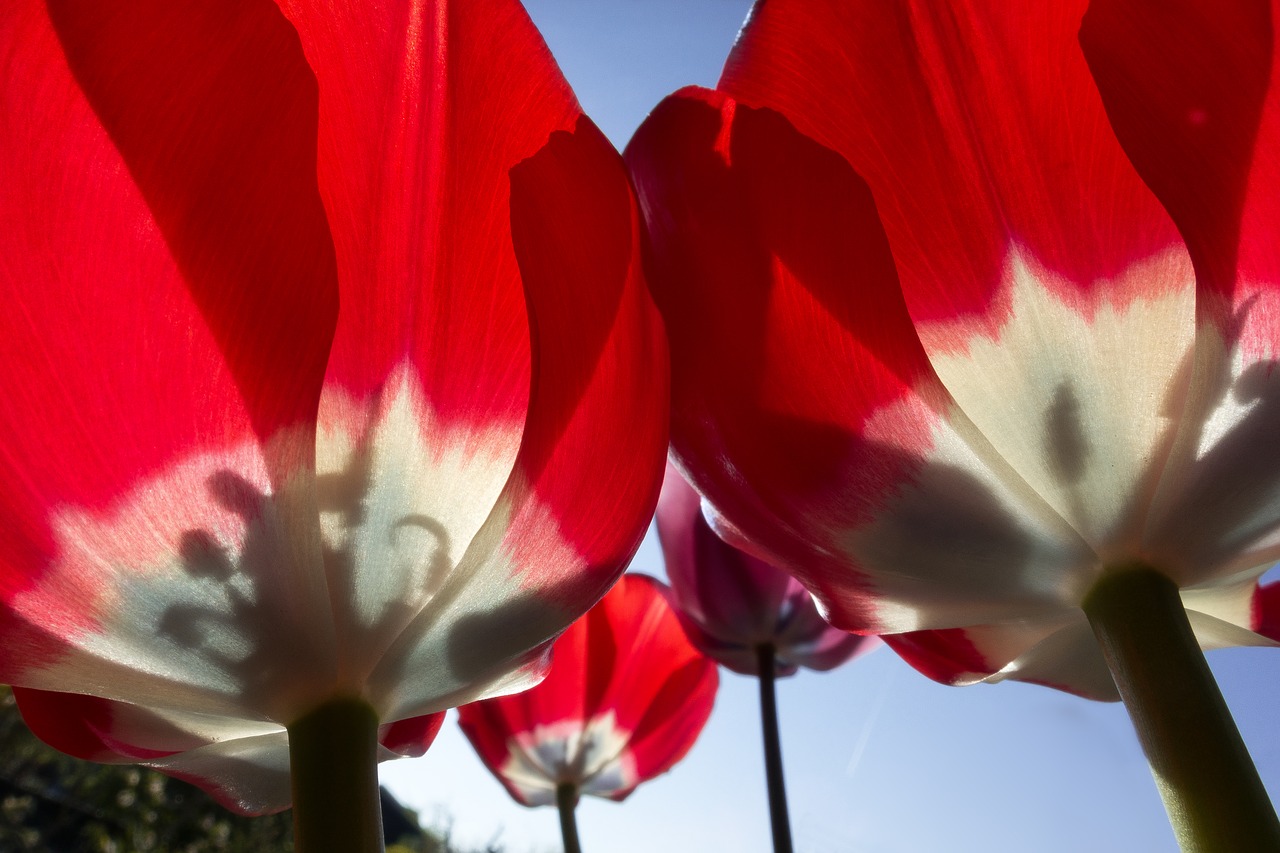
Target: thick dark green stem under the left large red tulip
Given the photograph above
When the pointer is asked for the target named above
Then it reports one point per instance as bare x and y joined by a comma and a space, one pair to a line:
333, 759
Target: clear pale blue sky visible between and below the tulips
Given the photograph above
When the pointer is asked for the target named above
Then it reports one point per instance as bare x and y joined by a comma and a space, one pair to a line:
879, 759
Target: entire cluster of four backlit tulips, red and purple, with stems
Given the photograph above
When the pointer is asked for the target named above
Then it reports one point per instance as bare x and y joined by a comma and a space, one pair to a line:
342, 357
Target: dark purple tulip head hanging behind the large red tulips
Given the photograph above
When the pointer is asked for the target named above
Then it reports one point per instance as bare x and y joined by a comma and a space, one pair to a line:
733, 604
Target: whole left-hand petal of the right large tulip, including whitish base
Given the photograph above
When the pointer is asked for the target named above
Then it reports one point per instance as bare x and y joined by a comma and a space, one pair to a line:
804, 407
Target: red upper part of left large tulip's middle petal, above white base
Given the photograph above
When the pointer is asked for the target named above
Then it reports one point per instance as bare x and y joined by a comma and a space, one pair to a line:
424, 111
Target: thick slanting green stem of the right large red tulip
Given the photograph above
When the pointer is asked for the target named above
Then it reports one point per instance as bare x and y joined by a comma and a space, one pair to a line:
1212, 790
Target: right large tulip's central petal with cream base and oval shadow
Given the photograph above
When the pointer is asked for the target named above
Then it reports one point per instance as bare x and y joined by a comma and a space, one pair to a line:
1032, 257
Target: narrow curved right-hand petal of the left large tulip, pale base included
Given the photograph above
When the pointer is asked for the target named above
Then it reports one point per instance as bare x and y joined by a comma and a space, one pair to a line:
589, 469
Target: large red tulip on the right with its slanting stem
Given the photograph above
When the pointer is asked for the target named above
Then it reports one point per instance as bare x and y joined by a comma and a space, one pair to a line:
973, 325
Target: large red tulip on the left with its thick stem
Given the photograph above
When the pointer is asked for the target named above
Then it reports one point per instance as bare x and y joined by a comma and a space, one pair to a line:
332, 391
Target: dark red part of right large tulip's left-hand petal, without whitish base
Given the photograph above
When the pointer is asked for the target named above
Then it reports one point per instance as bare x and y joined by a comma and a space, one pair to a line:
756, 235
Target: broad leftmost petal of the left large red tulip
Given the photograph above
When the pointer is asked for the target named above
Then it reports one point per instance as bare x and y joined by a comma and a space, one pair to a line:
171, 286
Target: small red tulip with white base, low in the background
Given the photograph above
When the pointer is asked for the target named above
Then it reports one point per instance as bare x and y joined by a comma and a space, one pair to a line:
627, 699
